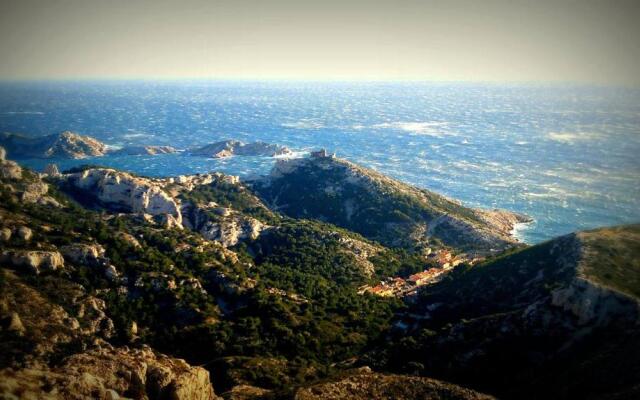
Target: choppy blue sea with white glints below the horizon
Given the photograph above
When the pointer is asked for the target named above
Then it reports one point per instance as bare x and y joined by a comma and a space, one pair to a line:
568, 156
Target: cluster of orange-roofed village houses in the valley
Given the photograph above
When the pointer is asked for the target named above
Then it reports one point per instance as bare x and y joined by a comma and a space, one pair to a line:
403, 287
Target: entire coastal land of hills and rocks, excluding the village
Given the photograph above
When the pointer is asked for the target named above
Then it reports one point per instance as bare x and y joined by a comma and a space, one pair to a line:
192, 287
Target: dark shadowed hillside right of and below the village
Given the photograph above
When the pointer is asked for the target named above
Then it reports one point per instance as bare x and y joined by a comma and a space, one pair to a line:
559, 317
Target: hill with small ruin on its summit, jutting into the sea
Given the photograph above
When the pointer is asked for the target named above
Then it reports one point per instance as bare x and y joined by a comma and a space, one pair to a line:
381, 208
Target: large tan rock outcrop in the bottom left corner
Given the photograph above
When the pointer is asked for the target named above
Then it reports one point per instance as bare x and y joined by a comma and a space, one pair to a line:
111, 374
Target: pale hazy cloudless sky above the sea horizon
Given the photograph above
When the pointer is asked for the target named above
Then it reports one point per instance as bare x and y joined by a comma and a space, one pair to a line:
576, 41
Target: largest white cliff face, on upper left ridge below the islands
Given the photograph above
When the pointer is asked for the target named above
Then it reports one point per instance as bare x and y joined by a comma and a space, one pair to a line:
125, 192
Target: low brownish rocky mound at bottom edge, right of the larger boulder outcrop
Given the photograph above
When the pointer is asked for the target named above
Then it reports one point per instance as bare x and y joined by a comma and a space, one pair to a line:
364, 384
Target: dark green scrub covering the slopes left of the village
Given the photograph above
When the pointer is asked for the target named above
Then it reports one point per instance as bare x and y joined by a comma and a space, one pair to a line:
288, 308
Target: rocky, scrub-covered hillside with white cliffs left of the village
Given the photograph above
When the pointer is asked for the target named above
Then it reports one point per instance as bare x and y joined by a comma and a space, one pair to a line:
96, 264
